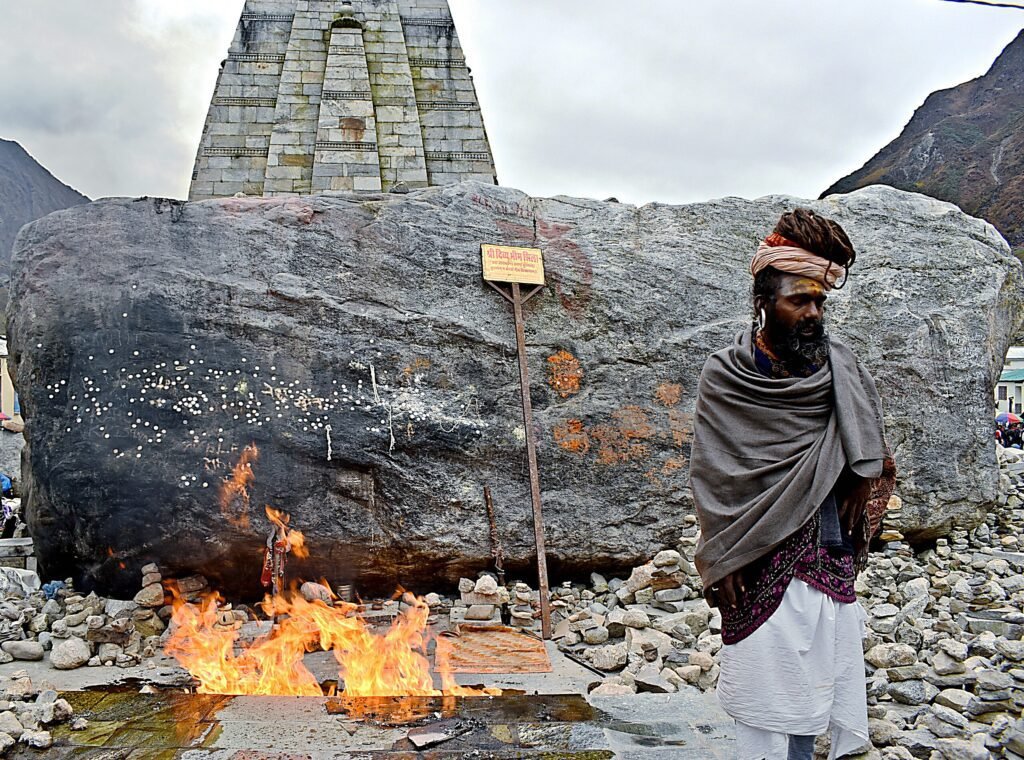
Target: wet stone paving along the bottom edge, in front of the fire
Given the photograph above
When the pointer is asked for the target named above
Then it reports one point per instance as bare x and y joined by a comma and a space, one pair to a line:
162, 727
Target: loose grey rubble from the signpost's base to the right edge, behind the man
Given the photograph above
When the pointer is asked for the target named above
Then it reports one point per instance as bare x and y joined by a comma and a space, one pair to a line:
945, 651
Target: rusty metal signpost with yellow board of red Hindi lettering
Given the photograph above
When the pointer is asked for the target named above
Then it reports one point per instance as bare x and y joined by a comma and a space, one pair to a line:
516, 267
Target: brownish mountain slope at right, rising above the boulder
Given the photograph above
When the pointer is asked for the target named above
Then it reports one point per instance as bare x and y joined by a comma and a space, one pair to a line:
965, 145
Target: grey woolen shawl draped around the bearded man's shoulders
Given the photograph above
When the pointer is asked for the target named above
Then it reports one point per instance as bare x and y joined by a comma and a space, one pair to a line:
766, 453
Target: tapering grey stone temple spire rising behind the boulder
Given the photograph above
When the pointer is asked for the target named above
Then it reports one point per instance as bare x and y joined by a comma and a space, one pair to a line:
322, 96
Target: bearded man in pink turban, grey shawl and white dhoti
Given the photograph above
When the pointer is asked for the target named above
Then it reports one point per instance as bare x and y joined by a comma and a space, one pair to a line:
789, 466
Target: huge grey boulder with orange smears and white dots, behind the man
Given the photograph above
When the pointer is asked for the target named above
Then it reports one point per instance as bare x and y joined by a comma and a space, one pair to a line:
354, 342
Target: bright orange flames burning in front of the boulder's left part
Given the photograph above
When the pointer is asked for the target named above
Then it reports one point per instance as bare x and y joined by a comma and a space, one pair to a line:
370, 664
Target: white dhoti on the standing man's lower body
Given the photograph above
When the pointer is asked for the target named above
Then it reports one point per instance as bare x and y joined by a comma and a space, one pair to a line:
801, 672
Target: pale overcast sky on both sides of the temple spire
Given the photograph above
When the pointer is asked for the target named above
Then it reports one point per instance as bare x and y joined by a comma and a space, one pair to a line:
671, 101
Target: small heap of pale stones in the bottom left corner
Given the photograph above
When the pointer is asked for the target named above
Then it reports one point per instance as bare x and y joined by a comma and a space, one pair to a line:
27, 712
